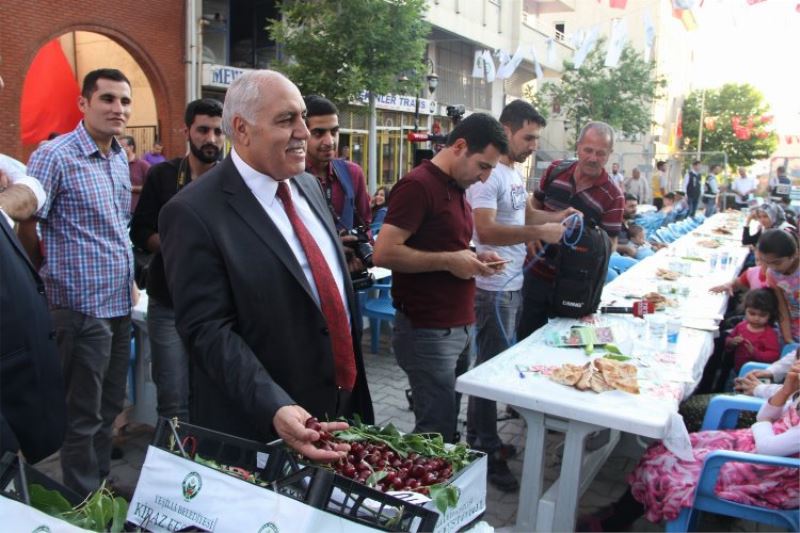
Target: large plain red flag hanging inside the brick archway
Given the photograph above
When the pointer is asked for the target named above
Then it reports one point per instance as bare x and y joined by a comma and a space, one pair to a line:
49, 96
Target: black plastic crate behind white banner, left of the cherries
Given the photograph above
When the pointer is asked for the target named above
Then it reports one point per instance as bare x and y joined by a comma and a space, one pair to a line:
224, 449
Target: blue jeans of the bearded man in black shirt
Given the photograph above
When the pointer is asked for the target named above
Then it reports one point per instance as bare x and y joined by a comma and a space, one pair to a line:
170, 362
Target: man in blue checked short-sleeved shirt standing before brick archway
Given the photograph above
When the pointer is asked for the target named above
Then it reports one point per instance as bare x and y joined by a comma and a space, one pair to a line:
88, 270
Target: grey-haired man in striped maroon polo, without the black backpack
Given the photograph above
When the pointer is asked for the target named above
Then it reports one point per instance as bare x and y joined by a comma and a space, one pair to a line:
585, 186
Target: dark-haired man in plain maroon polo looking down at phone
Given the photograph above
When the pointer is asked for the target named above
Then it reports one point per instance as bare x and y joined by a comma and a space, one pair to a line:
425, 242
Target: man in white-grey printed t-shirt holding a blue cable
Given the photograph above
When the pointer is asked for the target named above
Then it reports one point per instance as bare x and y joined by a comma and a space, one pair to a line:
504, 222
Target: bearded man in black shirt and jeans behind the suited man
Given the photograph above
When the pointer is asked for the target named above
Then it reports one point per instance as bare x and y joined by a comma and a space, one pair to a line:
203, 129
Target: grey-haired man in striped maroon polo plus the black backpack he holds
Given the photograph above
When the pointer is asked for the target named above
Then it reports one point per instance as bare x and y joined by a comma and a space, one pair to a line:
567, 280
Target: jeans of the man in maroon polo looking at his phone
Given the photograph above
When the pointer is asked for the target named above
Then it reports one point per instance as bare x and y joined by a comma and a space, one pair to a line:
433, 358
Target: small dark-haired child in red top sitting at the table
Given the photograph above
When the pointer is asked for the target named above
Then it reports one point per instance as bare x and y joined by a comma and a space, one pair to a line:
755, 338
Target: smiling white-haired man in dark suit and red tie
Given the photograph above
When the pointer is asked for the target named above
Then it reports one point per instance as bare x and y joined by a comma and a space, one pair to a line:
262, 295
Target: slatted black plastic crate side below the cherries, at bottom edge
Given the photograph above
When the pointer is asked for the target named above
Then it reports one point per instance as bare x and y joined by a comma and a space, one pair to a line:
328, 491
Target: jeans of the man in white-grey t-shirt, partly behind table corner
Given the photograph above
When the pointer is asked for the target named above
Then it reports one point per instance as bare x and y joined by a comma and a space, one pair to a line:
481, 413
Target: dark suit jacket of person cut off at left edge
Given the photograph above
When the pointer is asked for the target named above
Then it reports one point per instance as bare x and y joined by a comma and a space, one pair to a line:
32, 410
